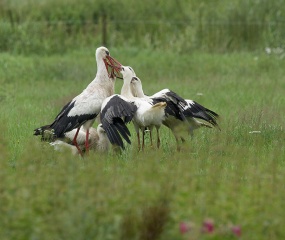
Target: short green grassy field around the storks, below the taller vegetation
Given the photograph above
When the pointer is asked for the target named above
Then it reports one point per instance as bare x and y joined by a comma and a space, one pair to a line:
231, 176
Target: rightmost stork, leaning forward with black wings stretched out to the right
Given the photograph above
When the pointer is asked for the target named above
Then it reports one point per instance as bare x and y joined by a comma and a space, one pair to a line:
181, 113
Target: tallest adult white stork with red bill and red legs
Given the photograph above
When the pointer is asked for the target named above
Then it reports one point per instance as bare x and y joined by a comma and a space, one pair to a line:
83, 109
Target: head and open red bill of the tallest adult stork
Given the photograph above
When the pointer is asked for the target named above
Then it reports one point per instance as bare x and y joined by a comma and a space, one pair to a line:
113, 66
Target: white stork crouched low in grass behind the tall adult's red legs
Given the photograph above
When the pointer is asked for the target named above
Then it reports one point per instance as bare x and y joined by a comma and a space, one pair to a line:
98, 140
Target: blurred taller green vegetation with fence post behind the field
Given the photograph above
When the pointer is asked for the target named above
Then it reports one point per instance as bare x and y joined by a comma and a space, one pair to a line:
51, 26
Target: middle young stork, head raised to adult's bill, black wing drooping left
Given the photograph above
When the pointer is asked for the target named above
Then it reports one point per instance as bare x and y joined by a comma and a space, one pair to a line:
127, 107
